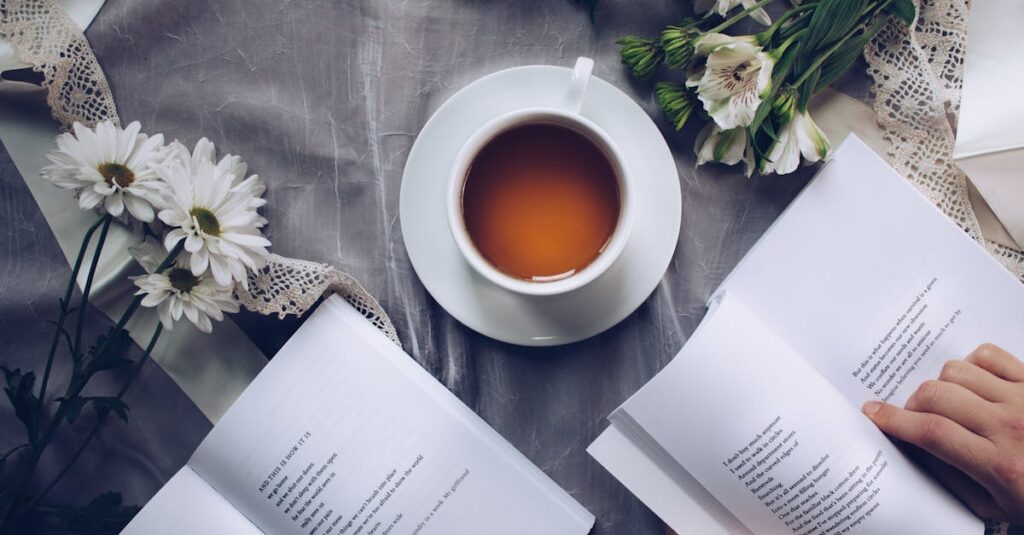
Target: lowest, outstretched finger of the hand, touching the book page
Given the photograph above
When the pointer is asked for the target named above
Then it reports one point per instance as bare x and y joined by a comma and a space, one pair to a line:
940, 436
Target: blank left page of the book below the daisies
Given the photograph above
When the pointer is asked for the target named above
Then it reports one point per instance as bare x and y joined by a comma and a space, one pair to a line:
189, 505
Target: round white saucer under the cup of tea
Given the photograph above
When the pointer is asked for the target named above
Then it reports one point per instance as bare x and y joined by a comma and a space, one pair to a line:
539, 321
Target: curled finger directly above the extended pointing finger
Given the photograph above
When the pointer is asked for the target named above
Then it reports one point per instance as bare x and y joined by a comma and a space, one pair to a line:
957, 403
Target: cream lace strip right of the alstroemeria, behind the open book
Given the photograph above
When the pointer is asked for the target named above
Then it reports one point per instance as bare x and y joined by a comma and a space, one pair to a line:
918, 75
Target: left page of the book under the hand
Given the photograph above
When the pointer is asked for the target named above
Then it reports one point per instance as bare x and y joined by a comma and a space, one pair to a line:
778, 445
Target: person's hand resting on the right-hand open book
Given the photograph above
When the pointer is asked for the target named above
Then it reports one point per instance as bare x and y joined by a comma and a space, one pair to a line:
972, 422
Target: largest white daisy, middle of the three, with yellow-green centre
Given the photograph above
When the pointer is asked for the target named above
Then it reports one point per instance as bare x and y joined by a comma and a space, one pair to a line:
215, 211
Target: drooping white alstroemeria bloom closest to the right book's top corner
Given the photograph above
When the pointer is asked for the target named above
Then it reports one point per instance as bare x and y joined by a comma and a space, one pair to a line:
797, 136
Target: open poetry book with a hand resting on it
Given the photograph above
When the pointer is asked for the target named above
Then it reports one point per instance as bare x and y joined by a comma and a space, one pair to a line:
862, 291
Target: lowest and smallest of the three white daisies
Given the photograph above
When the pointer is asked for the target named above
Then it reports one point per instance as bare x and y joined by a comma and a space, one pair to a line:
179, 293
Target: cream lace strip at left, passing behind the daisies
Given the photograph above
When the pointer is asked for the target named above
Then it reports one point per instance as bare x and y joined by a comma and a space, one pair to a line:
45, 36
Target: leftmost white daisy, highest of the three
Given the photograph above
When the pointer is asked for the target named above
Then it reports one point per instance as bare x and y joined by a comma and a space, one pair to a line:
111, 167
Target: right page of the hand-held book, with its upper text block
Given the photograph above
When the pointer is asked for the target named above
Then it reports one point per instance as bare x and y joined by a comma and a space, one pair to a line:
873, 285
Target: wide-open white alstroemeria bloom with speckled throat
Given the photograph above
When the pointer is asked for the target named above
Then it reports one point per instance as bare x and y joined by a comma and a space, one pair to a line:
735, 80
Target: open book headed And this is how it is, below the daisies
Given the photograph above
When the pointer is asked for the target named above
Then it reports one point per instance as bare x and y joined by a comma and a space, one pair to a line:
344, 434
